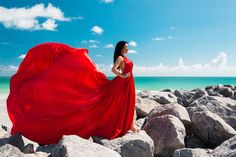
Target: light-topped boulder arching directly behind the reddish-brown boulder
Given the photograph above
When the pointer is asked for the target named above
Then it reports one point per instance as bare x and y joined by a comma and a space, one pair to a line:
174, 109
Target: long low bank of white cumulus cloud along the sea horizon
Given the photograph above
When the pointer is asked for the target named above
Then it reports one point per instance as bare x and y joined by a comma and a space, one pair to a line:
215, 67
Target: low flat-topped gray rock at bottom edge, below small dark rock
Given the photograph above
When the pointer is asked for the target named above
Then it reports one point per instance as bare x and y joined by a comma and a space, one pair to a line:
196, 152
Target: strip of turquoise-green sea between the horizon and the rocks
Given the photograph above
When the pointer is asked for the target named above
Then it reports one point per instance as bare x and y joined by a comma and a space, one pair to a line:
158, 83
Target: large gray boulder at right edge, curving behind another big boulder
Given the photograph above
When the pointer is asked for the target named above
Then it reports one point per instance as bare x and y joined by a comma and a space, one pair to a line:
223, 107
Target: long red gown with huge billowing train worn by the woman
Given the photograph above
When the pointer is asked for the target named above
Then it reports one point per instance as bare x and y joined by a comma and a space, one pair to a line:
58, 90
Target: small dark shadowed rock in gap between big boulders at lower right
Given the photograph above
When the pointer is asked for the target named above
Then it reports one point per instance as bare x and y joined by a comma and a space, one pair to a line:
191, 141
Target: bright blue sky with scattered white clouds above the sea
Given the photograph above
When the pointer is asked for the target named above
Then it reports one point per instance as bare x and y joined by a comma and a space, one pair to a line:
166, 37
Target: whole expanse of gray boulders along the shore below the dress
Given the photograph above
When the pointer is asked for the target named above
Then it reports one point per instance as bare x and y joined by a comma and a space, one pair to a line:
178, 123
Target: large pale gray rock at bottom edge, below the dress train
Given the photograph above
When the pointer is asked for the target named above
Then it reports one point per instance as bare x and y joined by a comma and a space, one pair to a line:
71, 146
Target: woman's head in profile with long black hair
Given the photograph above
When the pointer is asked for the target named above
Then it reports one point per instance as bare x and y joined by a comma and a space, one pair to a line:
121, 49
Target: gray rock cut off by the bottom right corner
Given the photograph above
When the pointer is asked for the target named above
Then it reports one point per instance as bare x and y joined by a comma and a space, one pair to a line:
226, 149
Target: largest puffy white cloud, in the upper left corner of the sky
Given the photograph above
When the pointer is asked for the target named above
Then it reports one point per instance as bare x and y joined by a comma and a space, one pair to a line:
26, 18
